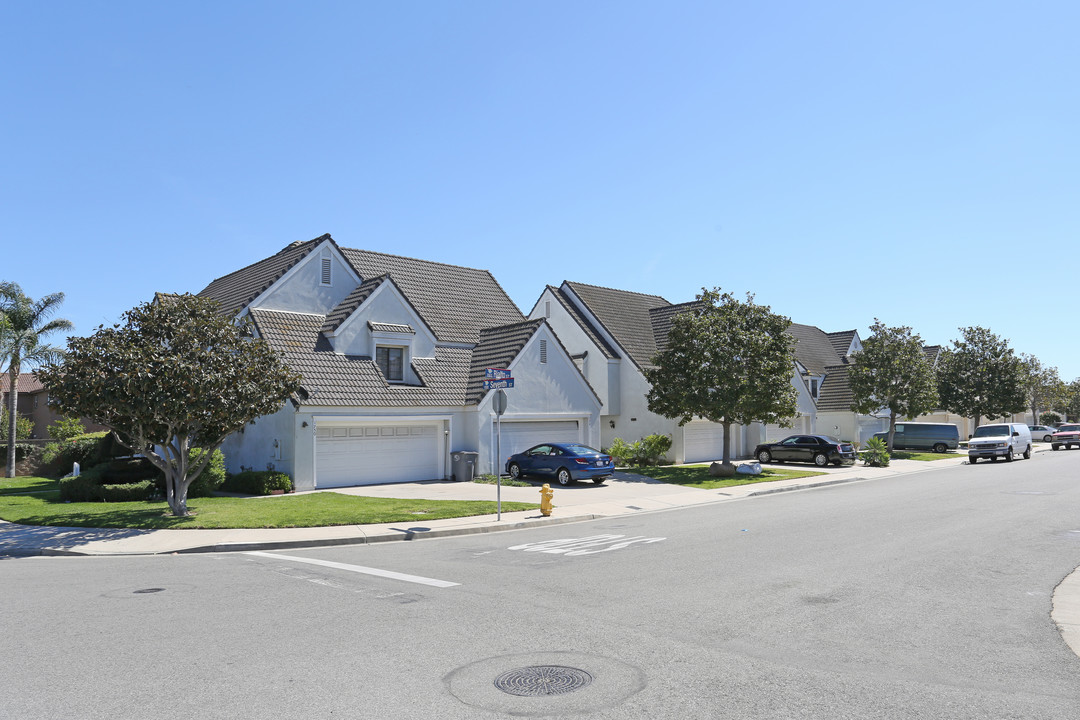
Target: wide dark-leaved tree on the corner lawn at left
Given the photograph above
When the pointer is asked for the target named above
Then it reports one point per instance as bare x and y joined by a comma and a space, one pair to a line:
175, 376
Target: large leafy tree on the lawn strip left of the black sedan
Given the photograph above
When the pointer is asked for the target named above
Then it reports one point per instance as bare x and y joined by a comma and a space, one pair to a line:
726, 361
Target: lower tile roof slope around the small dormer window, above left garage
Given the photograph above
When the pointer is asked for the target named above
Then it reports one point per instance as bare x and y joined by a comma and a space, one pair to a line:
331, 379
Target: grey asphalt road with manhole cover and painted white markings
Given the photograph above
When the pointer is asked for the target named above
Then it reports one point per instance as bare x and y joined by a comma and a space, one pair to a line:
925, 596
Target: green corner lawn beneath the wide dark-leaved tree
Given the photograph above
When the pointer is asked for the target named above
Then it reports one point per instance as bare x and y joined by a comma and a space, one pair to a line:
306, 511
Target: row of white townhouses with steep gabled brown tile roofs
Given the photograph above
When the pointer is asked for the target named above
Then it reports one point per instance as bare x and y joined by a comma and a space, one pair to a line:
394, 352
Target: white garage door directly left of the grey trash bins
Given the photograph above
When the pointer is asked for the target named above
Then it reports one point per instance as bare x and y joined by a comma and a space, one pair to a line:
368, 455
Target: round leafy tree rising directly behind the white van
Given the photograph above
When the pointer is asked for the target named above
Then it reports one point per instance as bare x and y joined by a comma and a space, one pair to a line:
980, 376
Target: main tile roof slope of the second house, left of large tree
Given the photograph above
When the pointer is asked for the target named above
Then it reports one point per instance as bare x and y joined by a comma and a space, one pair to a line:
626, 317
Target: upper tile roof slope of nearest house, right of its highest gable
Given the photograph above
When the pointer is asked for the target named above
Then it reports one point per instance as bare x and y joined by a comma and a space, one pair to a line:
456, 303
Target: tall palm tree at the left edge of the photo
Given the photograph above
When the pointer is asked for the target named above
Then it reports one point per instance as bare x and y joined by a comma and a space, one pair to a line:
24, 325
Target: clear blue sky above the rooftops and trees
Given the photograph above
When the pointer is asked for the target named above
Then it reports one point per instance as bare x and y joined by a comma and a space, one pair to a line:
844, 161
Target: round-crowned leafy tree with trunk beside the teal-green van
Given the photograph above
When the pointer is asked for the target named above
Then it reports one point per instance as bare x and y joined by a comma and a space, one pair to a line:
893, 372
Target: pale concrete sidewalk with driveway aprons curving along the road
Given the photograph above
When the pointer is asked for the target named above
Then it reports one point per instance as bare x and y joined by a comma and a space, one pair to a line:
625, 495
